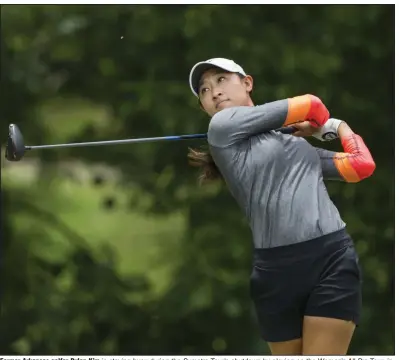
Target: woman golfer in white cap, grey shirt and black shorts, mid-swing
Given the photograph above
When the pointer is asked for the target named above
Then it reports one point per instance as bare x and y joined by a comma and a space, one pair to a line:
306, 280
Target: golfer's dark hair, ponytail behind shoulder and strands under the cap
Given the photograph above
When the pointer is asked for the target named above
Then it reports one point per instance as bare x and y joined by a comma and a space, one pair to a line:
203, 159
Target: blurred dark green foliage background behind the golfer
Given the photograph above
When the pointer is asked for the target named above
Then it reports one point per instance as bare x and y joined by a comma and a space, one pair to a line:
117, 250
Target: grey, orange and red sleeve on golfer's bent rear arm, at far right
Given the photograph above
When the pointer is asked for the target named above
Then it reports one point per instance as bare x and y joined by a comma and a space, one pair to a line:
352, 165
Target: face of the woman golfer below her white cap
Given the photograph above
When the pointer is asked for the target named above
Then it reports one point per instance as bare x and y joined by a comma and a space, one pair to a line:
219, 90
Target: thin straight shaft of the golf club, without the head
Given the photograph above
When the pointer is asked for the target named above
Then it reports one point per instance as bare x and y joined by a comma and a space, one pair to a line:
287, 130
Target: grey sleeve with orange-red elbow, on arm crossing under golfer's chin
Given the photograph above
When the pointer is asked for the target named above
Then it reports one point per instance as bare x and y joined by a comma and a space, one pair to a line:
235, 124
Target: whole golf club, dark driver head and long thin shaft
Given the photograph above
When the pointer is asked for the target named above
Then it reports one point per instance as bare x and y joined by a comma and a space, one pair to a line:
15, 149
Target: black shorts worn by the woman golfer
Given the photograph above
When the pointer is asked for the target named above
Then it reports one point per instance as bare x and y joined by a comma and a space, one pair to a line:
319, 277
